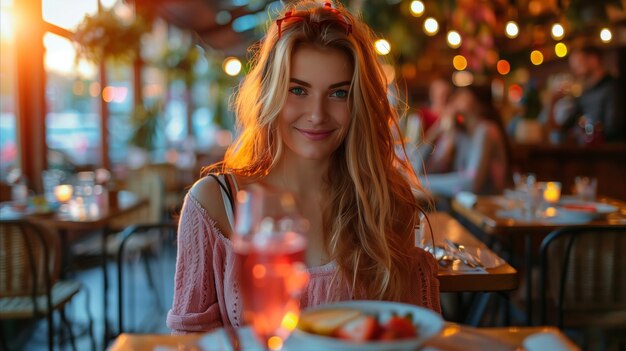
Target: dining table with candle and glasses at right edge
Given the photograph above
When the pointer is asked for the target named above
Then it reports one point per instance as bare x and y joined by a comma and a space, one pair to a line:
499, 218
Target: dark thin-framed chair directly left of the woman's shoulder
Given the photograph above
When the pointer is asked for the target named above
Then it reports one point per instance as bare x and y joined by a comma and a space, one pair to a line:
161, 232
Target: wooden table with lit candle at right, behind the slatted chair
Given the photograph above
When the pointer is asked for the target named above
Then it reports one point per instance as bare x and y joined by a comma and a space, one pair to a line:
484, 216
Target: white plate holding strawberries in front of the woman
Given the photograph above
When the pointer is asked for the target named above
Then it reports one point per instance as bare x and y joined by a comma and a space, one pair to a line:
427, 322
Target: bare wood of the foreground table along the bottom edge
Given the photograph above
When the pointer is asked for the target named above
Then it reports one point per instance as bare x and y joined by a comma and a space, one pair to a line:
512, 338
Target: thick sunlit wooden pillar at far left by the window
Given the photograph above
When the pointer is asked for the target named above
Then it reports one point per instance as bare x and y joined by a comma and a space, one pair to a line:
31, 85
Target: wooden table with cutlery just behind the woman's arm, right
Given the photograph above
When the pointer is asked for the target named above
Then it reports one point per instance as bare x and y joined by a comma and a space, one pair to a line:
501, 278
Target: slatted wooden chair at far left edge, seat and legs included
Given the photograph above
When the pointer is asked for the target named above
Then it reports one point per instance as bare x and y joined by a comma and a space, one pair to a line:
30, 263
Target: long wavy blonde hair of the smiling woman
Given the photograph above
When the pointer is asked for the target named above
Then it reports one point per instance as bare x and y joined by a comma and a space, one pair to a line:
370, 217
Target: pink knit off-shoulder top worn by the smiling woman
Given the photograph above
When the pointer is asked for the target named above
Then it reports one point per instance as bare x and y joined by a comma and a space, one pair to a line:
206, 293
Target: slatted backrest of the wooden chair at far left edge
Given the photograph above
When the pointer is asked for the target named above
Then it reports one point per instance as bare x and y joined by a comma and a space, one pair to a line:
30, 259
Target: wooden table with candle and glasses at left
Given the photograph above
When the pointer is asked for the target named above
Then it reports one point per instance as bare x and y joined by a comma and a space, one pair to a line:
116, 205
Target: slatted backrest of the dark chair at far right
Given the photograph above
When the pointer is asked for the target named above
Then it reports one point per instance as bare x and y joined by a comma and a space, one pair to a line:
582, 270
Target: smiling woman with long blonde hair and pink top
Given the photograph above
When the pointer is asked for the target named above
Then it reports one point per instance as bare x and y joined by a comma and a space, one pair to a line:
315, 121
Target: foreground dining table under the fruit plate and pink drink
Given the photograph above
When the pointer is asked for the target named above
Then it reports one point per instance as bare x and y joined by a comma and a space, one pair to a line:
452, 337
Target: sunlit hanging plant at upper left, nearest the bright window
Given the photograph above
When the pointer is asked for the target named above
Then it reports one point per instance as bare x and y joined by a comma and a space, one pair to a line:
105, 35
